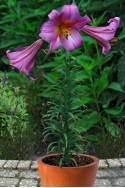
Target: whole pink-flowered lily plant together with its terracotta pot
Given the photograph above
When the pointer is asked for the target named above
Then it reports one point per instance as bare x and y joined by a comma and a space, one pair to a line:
67, 166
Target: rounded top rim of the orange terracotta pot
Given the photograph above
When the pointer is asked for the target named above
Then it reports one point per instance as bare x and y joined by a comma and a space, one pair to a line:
95, 161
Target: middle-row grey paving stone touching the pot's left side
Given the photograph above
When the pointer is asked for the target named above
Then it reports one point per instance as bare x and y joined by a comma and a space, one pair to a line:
29, 174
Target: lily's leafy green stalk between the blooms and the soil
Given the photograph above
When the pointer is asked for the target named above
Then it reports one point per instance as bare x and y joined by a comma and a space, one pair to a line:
60, 119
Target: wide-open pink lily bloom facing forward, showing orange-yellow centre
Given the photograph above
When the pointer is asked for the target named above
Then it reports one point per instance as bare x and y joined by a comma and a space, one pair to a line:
62, 30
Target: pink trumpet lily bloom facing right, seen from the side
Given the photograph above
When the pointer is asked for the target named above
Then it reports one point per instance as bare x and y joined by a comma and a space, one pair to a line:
104, 35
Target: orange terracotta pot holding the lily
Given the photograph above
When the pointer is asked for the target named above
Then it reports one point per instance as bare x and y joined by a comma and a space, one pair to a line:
54, 176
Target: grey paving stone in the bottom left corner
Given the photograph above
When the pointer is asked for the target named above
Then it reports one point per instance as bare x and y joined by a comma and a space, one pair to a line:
8, 182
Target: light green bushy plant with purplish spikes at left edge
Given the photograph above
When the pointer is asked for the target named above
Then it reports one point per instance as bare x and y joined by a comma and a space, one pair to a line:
15, 131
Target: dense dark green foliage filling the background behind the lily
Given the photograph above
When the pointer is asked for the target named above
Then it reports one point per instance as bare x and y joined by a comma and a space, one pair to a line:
100, 80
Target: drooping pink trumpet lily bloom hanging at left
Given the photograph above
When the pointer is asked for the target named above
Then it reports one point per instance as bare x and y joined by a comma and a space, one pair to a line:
23, 59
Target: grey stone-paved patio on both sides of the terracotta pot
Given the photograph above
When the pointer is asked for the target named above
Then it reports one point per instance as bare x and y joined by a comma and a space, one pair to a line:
14, 173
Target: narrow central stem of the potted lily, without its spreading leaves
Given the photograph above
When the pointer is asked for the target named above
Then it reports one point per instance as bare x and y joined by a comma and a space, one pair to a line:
67, 107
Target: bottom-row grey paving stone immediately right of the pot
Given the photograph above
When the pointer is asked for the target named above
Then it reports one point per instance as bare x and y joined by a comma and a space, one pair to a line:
103, 183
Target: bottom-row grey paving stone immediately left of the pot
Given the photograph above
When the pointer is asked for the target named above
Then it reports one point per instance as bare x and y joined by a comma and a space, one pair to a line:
28, 183
